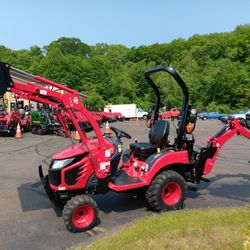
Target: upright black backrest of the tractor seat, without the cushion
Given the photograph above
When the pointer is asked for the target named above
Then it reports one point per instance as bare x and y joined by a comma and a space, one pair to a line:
158, 134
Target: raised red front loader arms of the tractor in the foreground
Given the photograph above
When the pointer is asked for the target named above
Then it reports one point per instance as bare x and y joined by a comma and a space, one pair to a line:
59, 97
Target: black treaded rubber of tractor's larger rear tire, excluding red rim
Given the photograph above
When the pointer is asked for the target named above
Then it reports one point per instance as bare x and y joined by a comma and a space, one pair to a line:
153, 194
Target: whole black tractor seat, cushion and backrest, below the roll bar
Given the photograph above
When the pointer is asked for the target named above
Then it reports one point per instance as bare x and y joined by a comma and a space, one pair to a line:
158, 137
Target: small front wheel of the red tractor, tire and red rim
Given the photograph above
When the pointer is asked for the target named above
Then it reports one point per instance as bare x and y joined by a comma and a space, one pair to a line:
80, 213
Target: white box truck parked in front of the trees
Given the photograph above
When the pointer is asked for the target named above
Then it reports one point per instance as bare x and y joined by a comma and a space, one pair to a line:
128, 110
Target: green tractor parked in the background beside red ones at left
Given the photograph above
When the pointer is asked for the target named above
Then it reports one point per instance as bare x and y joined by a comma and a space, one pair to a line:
43, 122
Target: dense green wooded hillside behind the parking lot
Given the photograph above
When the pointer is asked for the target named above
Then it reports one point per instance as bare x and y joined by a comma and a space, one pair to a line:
216, 68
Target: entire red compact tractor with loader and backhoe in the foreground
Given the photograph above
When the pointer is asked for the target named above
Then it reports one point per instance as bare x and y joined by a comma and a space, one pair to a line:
98, 165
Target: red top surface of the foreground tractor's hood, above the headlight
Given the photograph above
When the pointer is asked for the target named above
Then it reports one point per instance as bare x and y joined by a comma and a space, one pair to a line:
75, 150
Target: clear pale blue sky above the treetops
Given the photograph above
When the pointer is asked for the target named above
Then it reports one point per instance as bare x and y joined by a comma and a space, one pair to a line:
129, 22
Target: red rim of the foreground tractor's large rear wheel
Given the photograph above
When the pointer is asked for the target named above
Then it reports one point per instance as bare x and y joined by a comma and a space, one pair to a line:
171, 193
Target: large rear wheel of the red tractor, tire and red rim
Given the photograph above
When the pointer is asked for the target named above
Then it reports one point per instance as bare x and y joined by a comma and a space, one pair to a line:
167, 191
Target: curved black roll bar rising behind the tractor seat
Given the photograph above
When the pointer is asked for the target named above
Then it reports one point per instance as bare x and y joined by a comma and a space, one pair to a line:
183, 86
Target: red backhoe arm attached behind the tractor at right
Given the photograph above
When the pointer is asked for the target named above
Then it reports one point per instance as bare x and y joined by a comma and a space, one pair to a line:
208, 155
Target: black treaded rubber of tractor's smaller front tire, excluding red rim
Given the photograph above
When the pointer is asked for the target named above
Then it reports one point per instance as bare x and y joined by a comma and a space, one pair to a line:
69, 209
